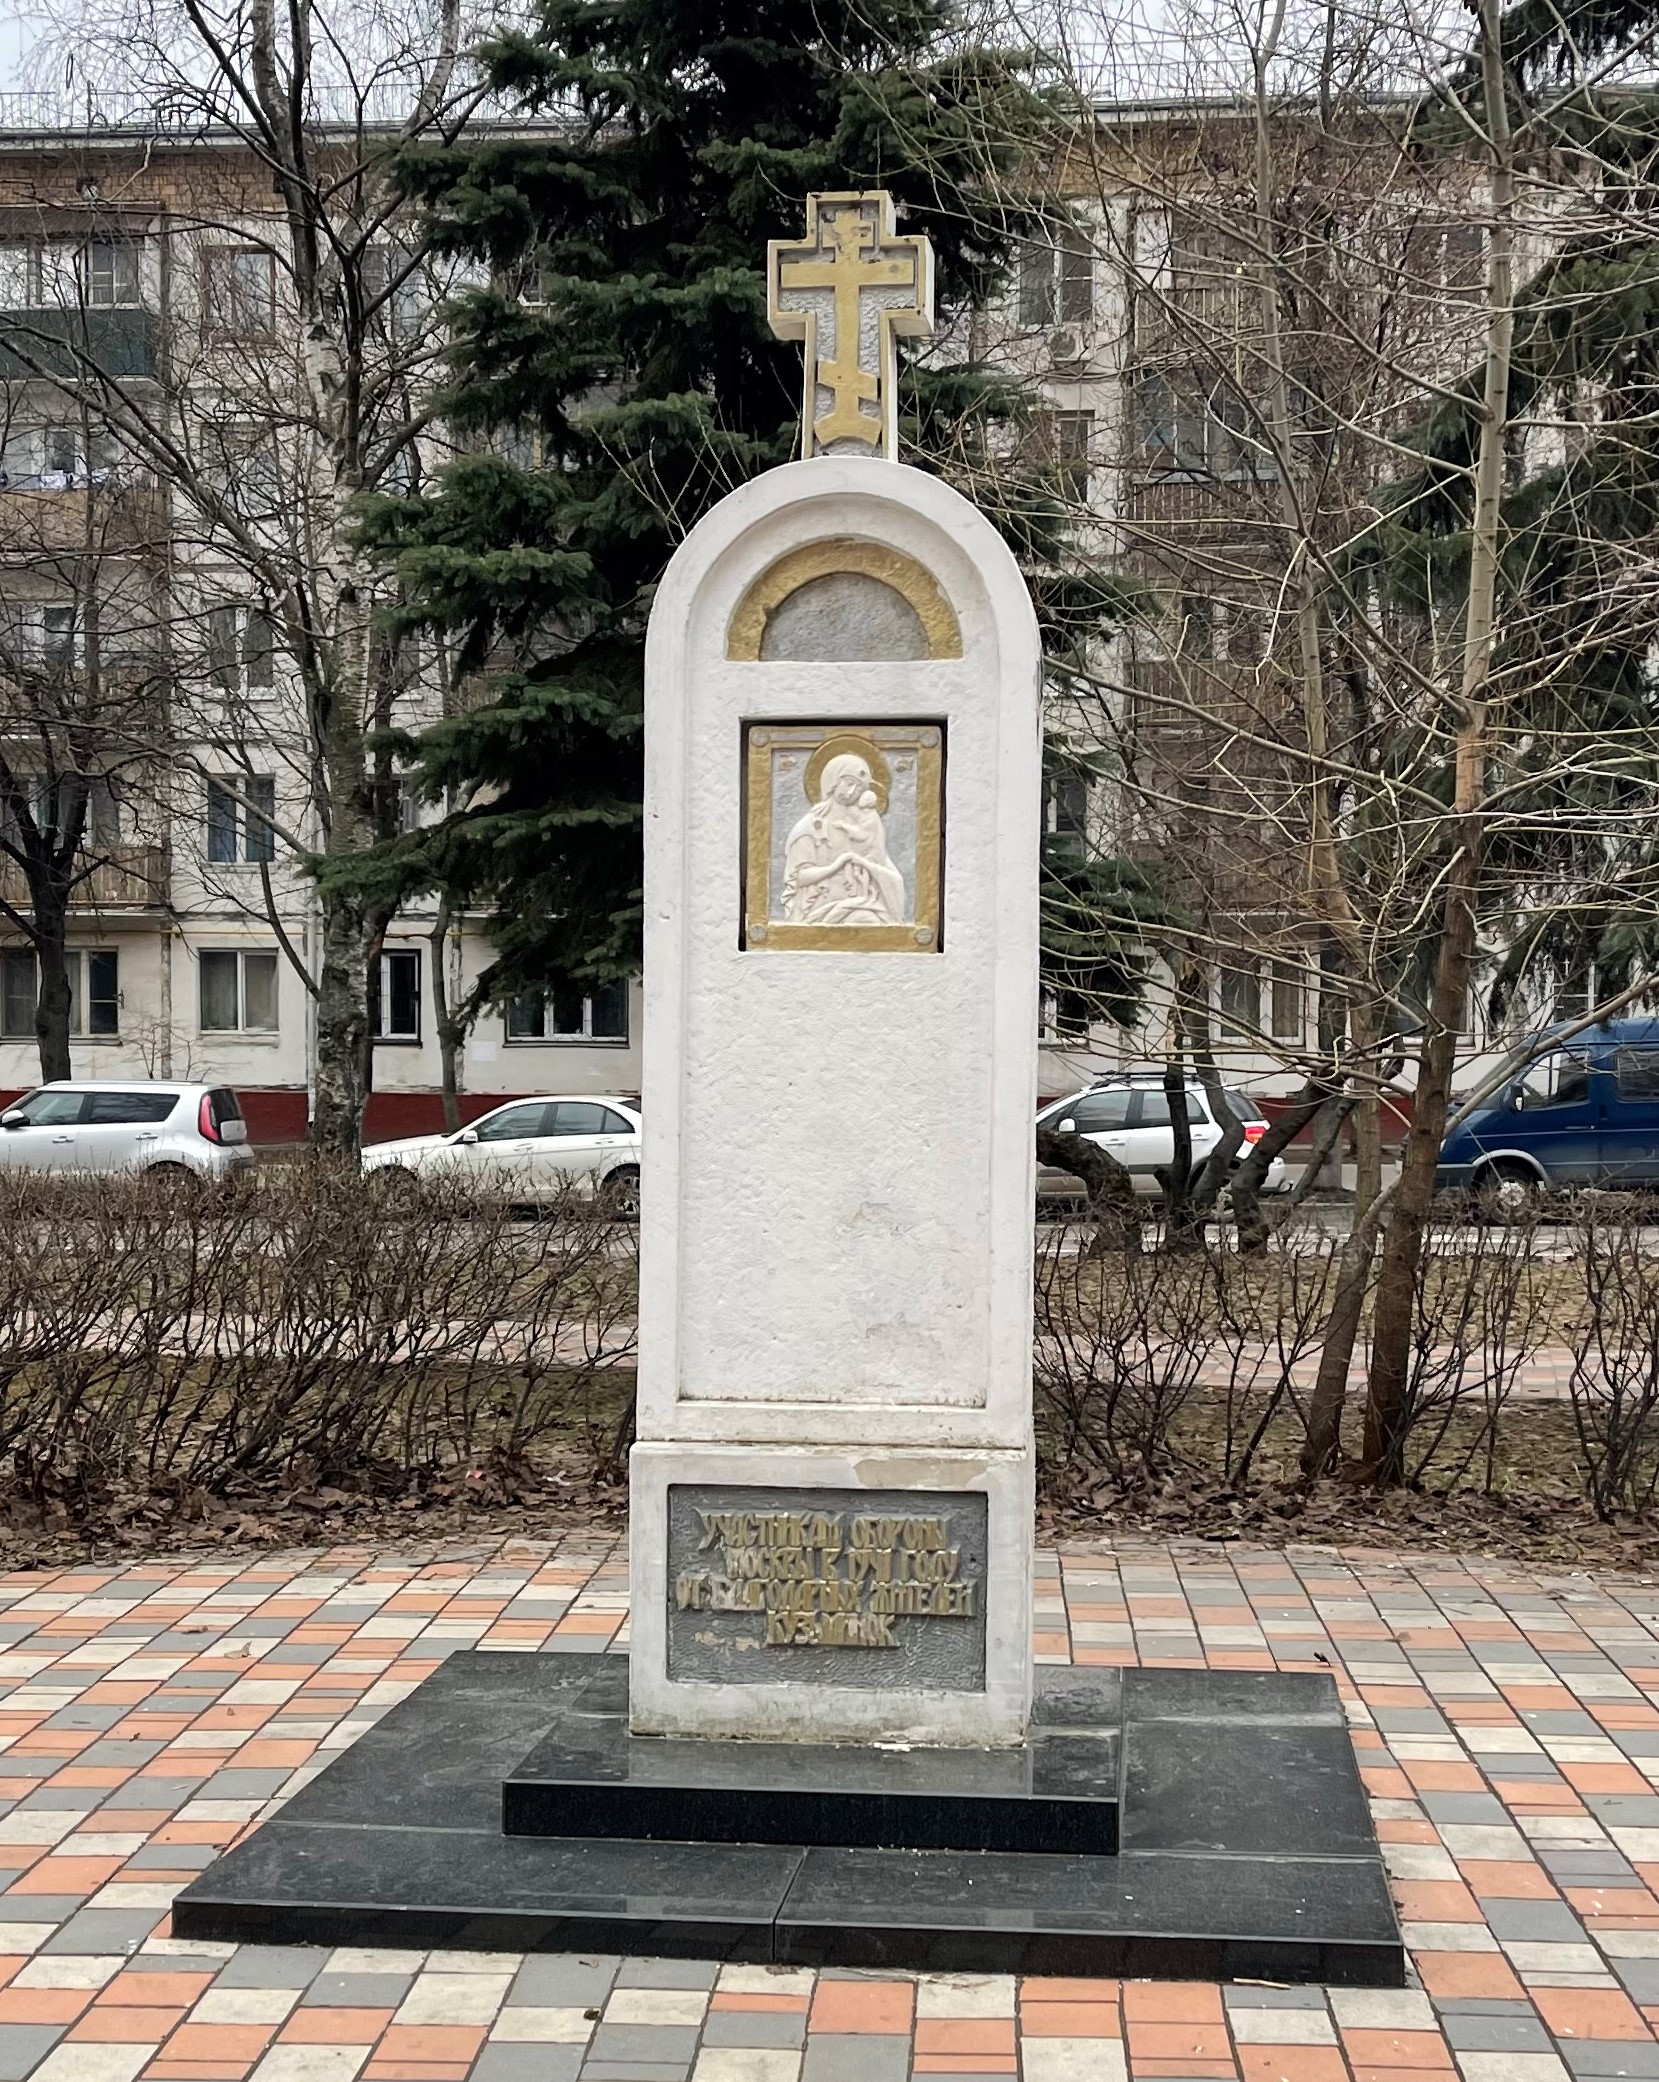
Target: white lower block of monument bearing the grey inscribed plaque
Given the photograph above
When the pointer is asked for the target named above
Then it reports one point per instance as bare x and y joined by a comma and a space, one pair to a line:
769, 1577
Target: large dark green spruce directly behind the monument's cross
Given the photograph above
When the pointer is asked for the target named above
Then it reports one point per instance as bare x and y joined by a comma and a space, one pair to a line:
617, 378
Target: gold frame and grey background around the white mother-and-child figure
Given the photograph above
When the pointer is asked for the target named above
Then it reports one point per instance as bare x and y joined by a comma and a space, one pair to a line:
767, 746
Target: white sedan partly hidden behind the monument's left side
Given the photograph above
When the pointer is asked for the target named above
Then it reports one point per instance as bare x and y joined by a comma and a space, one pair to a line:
528, 1150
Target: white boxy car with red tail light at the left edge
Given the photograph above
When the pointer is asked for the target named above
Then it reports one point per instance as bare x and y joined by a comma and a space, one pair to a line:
76, 1125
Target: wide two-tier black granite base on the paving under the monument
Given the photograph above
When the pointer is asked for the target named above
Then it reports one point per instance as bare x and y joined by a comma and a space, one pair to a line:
1246, 1837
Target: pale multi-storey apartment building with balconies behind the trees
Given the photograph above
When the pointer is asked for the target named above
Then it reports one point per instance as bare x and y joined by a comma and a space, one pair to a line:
174, 726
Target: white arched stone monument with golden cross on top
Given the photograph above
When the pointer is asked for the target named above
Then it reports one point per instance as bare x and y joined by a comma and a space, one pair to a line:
834, 1479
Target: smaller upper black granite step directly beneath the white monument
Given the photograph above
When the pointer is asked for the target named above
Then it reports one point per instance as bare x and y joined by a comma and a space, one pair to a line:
592, 1779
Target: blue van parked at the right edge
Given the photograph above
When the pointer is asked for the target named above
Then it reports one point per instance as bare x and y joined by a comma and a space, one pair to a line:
1585, 1113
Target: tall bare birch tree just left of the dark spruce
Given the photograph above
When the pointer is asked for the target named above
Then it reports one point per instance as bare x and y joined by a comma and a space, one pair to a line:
303, 353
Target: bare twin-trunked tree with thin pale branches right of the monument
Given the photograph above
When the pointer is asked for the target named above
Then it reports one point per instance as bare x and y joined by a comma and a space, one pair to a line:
1362, 715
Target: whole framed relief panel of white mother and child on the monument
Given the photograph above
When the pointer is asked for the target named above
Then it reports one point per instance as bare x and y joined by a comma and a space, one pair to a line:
844, 836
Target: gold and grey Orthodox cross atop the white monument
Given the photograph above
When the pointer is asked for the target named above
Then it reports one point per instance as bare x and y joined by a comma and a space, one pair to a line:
852, 263
